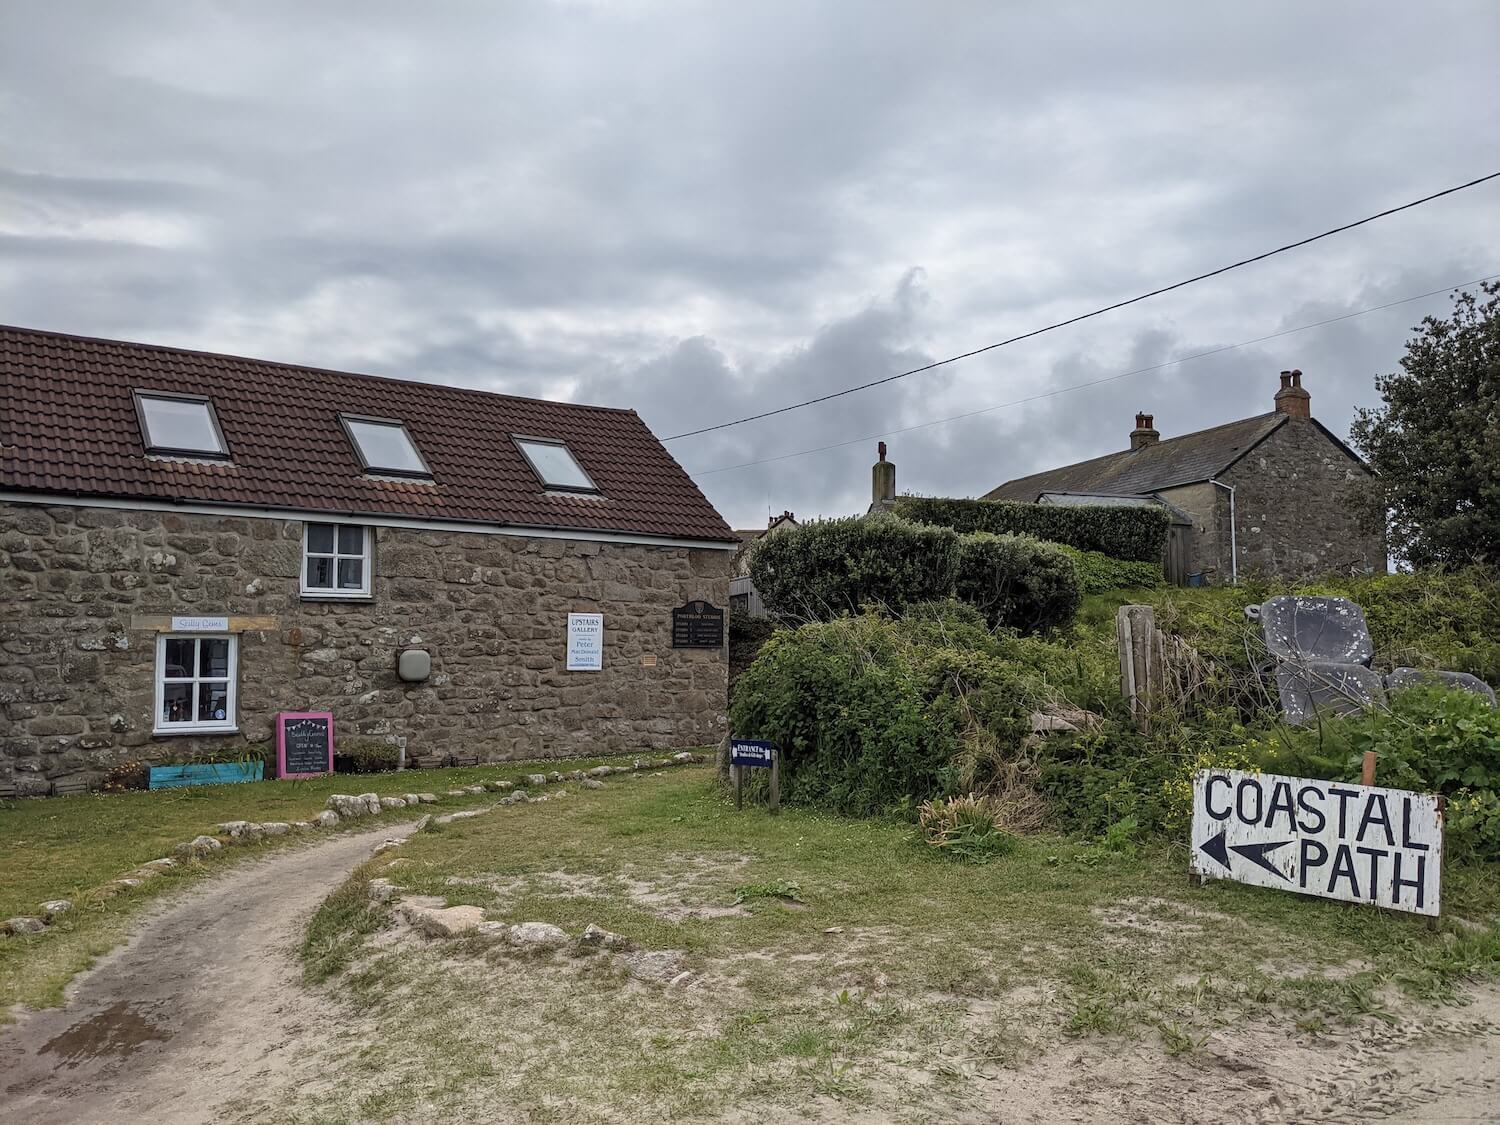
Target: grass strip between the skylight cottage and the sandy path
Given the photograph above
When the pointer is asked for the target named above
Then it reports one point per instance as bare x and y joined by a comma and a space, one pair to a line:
64, 848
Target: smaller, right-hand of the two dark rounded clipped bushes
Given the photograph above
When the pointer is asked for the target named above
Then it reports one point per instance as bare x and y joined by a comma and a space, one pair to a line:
1018, 583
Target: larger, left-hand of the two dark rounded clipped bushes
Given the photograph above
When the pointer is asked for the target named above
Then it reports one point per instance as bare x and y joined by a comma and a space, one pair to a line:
833, 566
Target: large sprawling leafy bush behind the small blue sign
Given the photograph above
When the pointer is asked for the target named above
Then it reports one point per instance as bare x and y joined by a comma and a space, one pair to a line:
875, 713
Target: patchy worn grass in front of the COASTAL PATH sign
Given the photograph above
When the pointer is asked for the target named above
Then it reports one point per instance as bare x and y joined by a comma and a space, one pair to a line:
830, 962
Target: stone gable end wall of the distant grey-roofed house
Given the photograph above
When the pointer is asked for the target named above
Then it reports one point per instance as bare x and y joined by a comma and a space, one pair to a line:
1294, 508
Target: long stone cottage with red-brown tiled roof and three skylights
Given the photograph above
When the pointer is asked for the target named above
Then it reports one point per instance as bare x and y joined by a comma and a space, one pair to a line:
191, 544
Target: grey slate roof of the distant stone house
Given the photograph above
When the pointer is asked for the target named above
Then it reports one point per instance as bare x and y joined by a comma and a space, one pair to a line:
1168, 464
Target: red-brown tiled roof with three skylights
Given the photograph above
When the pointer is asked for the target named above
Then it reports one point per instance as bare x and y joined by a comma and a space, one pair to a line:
68, 425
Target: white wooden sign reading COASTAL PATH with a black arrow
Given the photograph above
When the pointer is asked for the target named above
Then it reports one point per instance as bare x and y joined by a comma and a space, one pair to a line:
1357, 844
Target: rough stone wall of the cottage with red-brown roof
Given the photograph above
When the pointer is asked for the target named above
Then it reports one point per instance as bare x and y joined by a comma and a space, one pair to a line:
77, 659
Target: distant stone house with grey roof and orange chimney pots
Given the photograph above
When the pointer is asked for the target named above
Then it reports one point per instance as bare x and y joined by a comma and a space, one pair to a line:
1270, 494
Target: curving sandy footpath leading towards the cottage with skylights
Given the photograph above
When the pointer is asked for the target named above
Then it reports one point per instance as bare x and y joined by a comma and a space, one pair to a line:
202, 1006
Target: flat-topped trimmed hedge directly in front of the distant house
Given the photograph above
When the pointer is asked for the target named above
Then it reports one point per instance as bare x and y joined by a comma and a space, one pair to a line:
1139, 535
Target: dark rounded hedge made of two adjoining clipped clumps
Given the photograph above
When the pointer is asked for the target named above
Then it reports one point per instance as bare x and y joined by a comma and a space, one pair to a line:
823, 569
